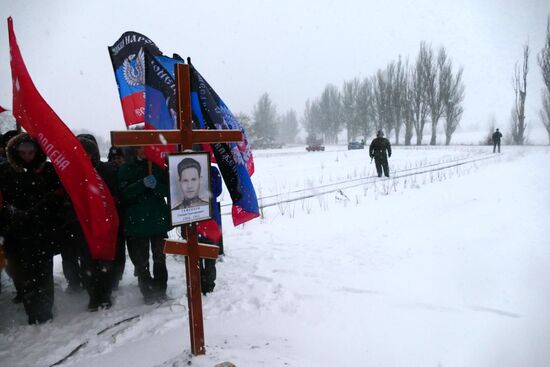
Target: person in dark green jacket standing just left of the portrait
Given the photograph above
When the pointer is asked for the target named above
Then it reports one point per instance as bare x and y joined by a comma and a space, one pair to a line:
146, 222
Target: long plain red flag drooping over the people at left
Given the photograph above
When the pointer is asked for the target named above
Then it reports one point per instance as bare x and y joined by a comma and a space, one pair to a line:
91, 198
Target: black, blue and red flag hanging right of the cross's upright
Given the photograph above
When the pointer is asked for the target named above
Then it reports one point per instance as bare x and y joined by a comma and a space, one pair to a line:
234, 159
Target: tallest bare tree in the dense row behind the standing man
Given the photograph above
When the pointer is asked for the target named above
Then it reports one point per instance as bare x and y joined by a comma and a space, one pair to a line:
420, 107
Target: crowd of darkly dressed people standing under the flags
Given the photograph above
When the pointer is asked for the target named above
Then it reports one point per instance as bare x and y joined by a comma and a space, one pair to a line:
38, 221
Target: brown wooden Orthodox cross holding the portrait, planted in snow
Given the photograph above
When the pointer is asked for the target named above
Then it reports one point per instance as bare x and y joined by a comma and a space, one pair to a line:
185, 137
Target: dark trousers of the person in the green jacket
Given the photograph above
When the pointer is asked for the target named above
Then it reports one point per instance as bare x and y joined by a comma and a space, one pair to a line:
138, 249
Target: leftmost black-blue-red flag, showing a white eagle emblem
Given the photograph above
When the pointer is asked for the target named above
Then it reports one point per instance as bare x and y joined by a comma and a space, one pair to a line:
128, 58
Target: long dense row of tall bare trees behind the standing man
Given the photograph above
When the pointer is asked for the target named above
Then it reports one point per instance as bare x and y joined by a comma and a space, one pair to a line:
400, 96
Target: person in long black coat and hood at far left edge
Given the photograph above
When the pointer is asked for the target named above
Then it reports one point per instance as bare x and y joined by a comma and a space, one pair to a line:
31, 194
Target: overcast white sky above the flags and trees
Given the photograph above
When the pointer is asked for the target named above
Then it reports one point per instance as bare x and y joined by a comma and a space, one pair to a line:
290, 49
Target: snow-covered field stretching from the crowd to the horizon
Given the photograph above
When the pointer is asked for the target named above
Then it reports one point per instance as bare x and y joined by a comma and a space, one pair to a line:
445, 264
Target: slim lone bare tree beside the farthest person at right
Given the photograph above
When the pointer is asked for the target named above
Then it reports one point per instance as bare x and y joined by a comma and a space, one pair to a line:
520, 90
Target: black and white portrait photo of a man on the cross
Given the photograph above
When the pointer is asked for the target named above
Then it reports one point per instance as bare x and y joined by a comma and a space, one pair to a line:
189, 187
